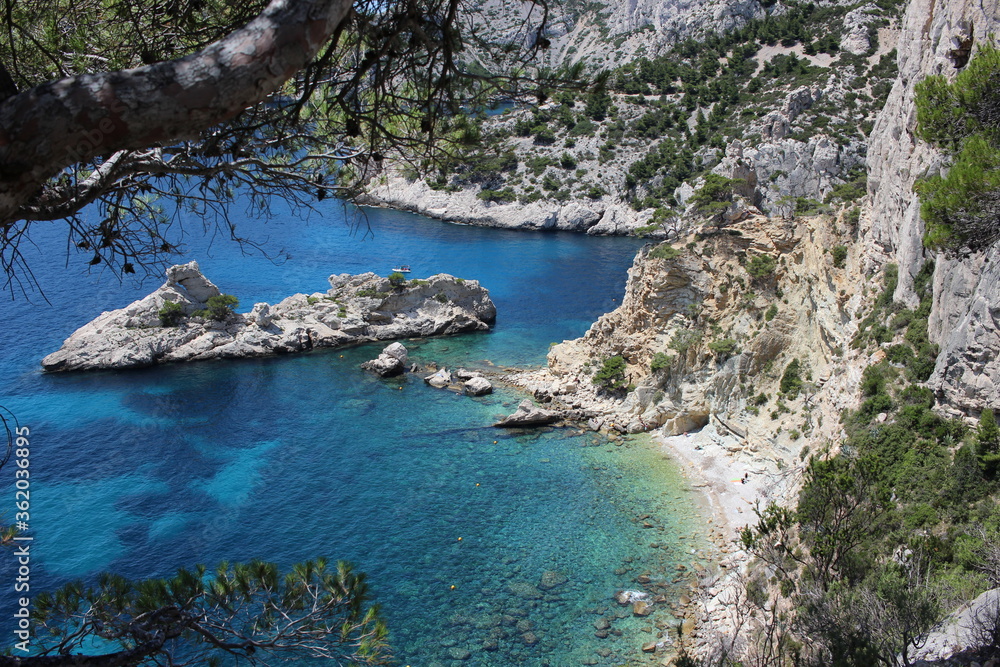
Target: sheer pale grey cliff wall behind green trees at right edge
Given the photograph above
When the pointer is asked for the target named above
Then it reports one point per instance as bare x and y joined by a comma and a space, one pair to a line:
966, 290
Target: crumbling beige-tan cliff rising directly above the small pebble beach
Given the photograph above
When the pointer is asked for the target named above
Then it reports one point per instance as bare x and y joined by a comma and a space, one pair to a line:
682, 310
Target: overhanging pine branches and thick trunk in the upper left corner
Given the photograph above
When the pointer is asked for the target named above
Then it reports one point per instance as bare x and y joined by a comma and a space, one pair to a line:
127, 108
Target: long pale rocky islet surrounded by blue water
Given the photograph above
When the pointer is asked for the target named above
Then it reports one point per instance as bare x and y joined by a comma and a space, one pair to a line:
356, 309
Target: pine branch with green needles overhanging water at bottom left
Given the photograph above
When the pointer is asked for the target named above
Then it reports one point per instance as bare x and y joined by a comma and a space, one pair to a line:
250, 611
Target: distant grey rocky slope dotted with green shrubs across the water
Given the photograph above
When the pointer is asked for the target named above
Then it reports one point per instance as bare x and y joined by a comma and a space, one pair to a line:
783, 104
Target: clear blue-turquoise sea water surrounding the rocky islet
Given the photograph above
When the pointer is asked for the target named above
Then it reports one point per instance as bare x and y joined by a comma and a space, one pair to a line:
291, 458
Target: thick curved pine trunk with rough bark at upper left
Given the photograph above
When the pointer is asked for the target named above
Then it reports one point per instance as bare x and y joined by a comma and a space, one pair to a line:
60, 123
